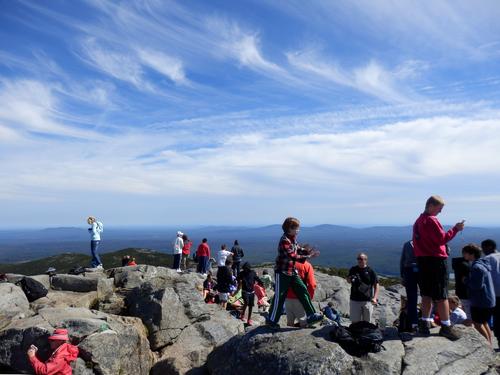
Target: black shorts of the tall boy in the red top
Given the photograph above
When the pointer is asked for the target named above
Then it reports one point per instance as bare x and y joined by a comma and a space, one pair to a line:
433, 277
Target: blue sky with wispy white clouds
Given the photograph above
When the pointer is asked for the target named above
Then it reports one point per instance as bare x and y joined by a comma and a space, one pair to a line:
245, 112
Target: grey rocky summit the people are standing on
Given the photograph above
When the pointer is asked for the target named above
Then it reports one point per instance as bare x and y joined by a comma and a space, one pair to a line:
152, 320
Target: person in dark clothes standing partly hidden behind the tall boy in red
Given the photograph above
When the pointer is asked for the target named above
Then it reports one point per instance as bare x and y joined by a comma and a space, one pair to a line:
409, 274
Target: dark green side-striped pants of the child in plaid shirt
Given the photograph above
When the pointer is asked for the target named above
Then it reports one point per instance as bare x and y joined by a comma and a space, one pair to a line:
283, 282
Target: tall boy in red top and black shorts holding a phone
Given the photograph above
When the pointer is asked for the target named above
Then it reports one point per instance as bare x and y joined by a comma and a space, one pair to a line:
429, 244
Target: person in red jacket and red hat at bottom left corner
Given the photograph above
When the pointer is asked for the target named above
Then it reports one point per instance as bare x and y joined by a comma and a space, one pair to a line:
60, 360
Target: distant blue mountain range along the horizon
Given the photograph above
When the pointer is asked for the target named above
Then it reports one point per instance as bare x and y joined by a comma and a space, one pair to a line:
338, 244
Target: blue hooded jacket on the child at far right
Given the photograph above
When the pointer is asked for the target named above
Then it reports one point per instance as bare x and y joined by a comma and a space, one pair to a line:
480, 285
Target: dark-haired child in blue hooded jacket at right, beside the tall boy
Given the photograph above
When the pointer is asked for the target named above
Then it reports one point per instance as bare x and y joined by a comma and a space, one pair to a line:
481, 291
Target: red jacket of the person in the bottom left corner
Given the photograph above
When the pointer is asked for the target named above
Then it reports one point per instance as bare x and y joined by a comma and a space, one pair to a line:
58, 363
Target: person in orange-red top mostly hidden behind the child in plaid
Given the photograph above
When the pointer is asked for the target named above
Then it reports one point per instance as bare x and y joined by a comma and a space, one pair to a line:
293, 308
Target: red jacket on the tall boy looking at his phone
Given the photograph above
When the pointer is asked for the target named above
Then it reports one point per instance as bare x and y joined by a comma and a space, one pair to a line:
429, 237
